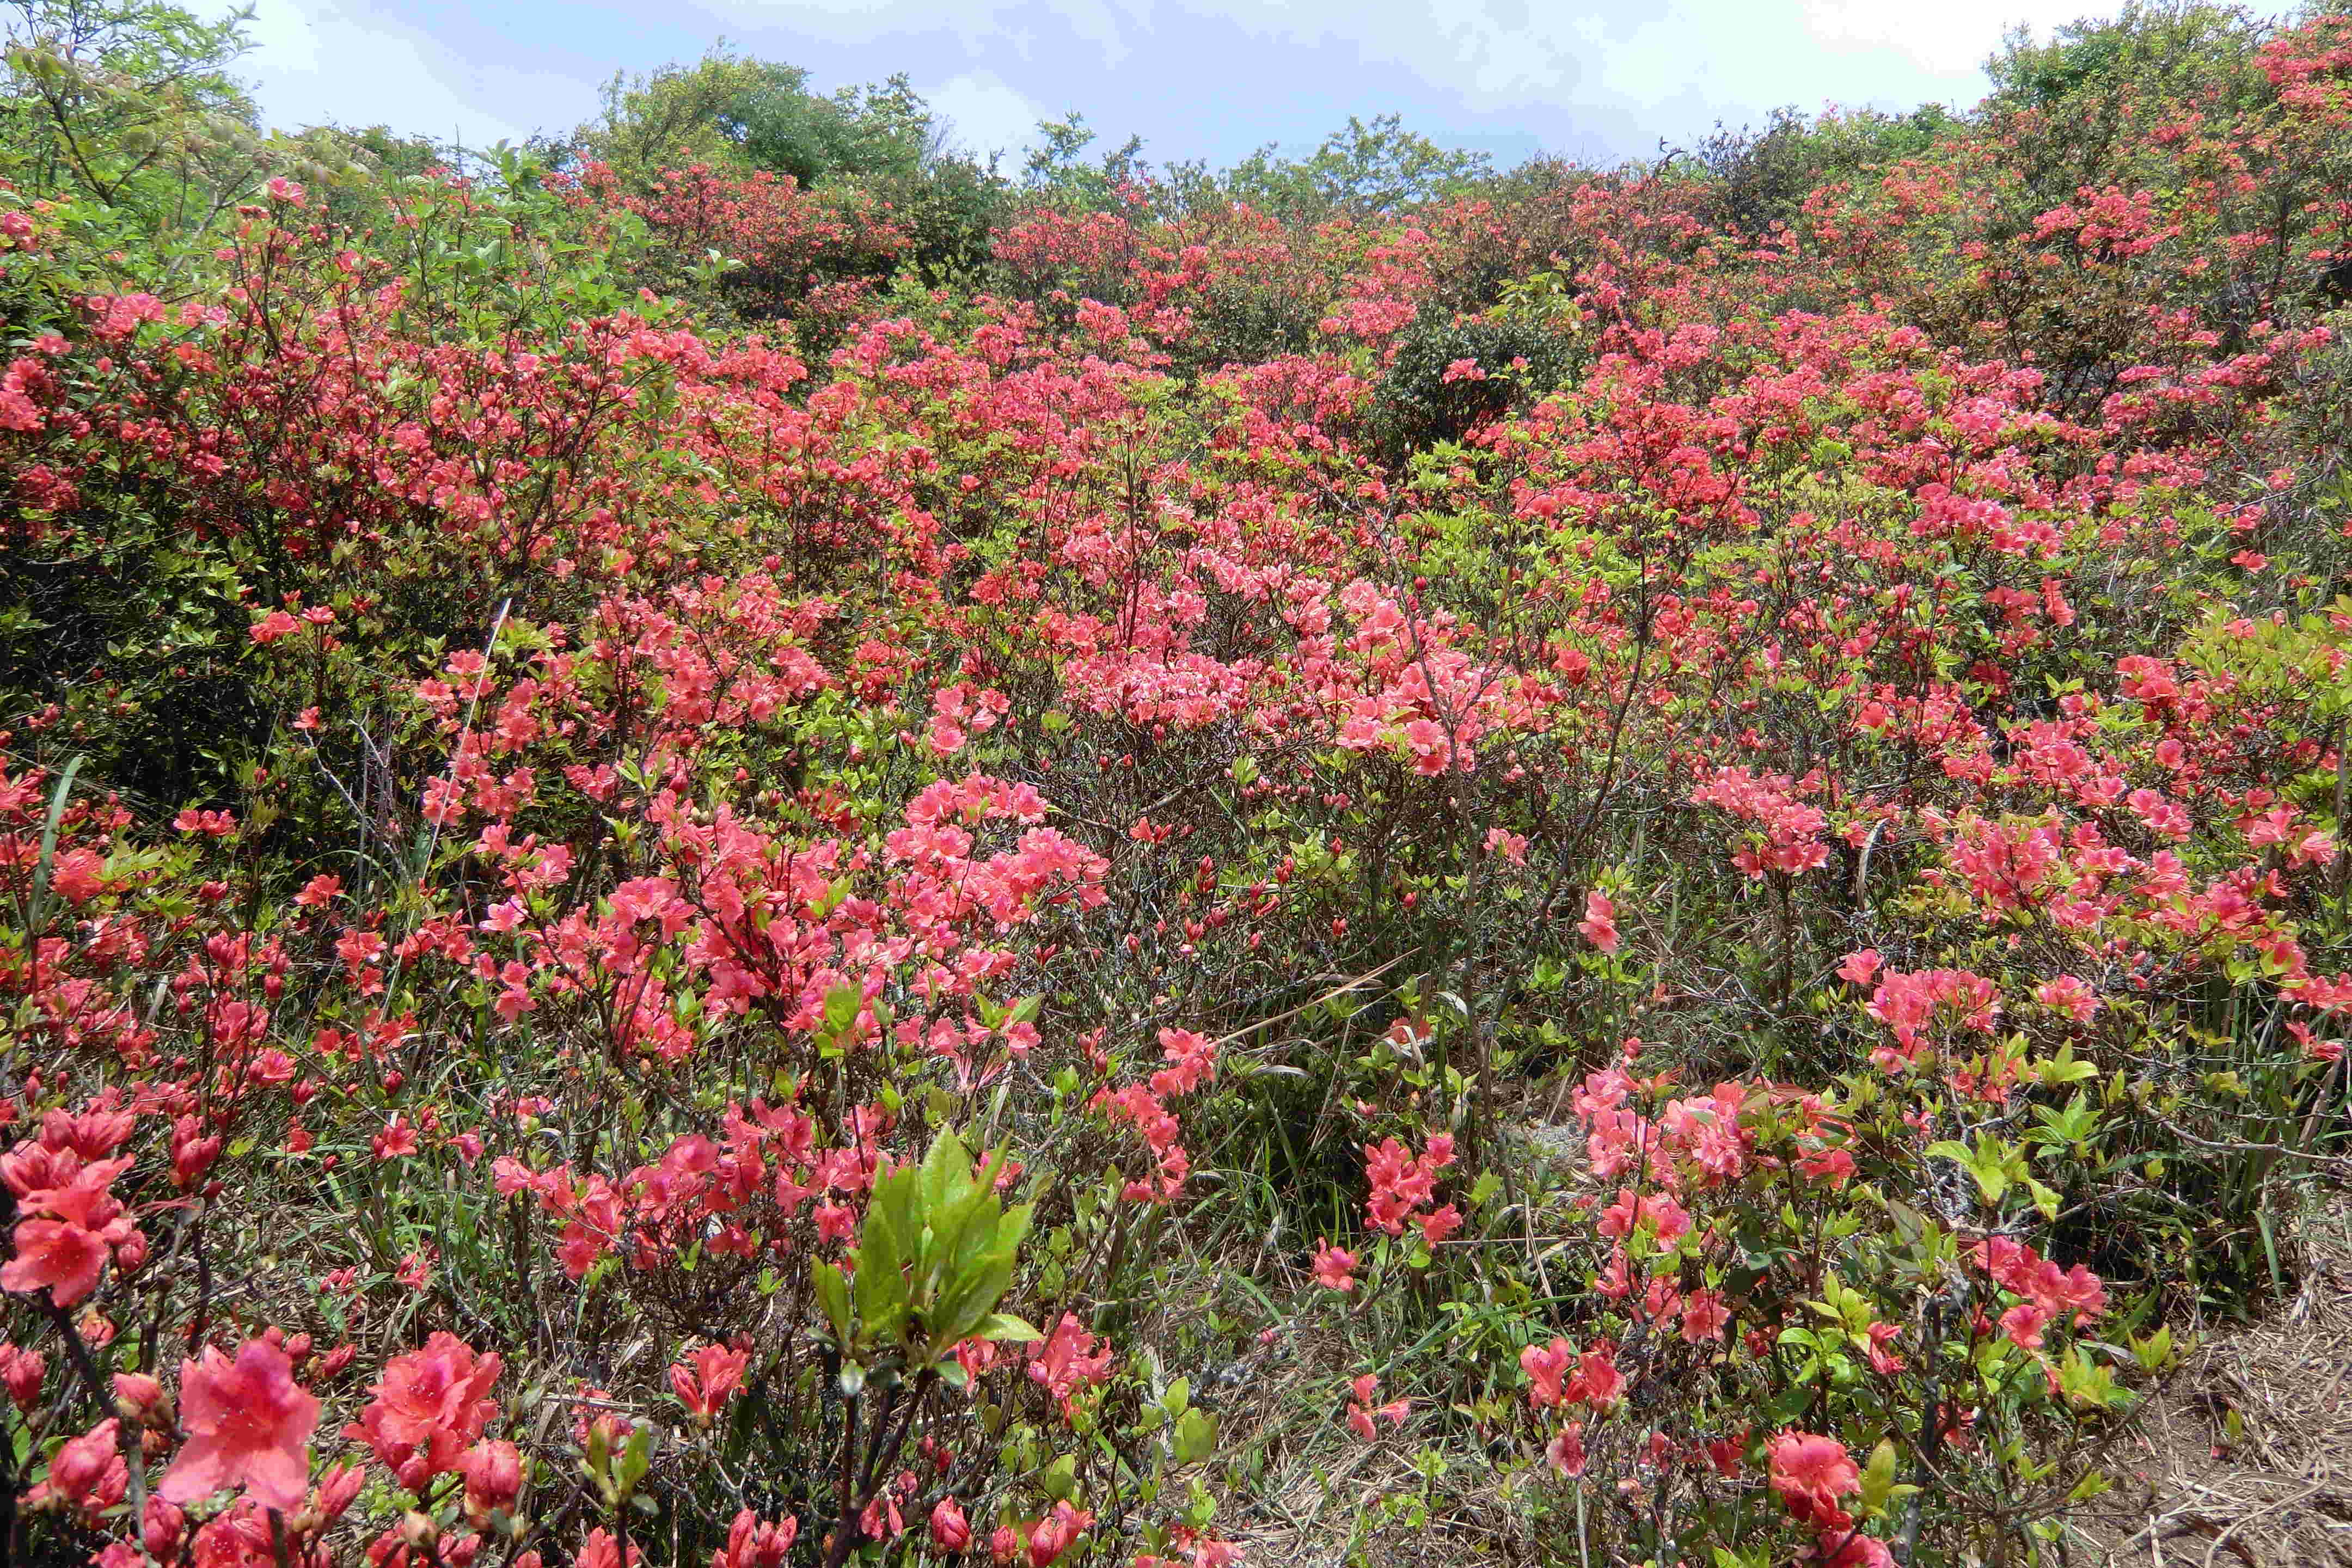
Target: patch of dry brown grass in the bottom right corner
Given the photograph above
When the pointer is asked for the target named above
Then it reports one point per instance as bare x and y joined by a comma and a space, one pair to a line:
2245, 1456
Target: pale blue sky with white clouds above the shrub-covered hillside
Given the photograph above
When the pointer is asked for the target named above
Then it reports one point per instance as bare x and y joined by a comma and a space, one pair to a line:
1210, 79
